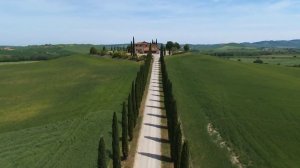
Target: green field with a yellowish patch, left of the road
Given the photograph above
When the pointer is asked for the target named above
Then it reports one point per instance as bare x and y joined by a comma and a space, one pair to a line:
52, 113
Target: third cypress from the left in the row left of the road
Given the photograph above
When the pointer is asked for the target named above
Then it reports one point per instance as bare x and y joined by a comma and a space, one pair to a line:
124, 132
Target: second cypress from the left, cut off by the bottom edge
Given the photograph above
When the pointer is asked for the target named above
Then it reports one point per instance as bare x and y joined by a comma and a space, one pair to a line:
115, 143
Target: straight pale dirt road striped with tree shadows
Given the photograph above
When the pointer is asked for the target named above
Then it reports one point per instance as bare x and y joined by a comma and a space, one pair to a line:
148, 153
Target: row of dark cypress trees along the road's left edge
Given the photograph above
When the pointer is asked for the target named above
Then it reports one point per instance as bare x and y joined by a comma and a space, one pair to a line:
129, 118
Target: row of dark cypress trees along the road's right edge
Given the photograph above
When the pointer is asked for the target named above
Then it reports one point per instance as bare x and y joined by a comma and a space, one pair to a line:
179, 145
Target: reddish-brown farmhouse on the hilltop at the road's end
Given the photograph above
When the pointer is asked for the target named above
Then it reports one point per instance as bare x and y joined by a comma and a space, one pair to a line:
144, 48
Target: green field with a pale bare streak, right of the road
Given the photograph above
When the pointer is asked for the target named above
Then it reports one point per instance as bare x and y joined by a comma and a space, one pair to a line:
254, 108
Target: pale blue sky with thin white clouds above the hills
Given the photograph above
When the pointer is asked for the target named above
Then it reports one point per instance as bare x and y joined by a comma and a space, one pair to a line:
27, 22
